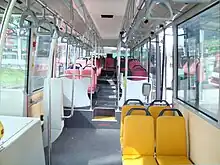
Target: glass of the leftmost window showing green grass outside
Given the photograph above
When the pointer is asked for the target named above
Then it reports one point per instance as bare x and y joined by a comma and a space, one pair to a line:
14, 64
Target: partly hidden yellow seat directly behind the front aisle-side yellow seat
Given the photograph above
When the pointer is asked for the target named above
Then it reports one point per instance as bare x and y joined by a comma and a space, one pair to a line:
124, 111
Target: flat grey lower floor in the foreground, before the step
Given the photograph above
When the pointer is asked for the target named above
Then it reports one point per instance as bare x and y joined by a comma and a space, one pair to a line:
85, 146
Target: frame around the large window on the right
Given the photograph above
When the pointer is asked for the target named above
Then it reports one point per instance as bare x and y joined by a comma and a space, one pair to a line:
193, 12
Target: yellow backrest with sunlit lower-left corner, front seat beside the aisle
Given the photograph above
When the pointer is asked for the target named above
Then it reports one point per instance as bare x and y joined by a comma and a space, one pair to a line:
138, 135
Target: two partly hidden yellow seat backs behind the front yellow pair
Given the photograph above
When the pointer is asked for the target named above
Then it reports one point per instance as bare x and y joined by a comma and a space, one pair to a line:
153, 108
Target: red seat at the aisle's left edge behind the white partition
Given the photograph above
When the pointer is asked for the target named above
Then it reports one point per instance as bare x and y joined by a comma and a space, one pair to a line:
88, 71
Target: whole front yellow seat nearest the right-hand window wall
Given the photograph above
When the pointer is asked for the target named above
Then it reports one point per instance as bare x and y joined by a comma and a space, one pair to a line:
171, 146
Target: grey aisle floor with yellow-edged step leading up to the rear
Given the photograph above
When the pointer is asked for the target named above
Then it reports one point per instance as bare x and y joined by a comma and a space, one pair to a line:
91, 136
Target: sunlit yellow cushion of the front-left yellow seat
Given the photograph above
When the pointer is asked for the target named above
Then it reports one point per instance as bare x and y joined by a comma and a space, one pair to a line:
143, 160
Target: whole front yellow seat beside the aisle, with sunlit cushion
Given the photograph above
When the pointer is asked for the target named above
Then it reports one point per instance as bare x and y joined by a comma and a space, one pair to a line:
138, 140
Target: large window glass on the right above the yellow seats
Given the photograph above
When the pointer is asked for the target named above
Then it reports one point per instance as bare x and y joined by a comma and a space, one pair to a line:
198, 61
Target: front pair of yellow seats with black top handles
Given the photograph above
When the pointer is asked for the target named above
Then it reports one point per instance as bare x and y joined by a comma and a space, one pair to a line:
139, 137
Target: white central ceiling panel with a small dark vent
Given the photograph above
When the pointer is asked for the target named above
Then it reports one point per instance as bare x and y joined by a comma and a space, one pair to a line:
108, 28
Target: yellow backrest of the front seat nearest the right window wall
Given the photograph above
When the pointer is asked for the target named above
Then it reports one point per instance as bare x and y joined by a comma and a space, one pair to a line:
171, 136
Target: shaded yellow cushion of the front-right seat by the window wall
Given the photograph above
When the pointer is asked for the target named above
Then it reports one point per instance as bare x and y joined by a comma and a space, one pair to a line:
173, 160
